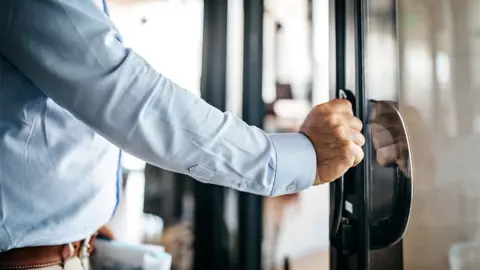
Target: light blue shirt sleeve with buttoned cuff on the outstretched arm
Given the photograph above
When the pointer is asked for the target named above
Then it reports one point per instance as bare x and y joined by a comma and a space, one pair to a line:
69, 49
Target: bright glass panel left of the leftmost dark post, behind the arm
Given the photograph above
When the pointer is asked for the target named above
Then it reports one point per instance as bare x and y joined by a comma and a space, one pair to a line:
157, 207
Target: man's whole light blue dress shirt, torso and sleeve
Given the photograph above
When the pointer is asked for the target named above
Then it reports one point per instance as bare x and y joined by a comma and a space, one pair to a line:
71, 94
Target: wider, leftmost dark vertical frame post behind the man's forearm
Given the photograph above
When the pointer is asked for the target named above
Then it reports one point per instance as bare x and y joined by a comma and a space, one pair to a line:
211, 236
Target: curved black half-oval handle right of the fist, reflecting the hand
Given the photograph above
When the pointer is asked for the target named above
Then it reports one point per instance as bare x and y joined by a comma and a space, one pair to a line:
390, 208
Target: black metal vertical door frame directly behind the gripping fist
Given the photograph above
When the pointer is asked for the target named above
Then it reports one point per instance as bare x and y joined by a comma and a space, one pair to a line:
350, 245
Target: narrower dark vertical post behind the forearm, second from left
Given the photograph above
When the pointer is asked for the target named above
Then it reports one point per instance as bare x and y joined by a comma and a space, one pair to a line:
253, 112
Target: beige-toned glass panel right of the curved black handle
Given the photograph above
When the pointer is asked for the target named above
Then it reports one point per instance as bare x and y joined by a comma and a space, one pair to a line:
439, 50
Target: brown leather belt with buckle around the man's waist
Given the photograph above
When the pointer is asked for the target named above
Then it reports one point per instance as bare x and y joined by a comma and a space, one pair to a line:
43, 256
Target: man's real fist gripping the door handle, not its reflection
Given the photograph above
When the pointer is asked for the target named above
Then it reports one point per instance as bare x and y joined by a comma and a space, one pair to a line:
336, 136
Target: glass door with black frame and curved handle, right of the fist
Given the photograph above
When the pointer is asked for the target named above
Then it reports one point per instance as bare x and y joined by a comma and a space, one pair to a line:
409, 68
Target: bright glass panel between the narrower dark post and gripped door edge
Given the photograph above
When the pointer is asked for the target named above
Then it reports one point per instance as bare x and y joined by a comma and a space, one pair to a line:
295, 48
